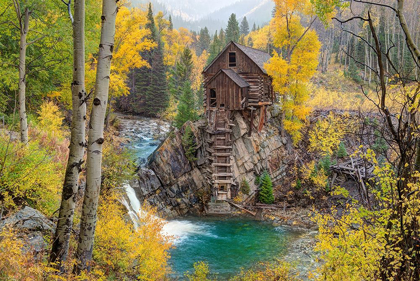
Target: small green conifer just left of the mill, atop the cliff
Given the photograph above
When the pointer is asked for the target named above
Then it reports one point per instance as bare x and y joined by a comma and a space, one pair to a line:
186, 106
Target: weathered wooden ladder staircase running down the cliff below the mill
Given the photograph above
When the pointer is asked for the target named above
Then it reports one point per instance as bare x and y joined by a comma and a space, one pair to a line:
220, 151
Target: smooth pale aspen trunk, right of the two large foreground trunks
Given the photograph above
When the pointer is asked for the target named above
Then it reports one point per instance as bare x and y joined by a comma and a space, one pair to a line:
96, 139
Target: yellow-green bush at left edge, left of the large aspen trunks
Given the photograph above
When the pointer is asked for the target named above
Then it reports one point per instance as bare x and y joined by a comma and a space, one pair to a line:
29, 174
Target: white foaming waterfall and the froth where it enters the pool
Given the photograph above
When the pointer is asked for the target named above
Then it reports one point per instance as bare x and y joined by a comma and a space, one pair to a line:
178, 229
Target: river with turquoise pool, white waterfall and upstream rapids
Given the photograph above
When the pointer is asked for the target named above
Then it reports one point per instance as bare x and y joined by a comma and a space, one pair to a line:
226, 244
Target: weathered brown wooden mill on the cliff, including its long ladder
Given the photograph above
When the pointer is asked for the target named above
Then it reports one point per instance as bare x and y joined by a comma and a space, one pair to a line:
235, 81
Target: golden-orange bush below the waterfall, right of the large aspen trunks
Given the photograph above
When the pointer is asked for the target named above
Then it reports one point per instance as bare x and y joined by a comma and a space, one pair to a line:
123, 250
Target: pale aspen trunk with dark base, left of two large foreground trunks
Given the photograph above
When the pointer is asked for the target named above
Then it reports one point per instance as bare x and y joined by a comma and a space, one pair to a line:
60, 246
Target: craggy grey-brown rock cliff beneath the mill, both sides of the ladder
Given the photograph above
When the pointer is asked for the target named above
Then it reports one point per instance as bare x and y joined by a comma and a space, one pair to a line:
177, 185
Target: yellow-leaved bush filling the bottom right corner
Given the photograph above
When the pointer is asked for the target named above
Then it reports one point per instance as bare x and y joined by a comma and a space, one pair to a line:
355, 245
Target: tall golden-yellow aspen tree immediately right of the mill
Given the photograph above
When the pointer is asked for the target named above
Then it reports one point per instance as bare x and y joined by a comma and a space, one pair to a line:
293, 68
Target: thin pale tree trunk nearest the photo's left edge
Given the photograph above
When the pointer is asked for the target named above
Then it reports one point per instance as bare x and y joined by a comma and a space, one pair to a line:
22, 78
